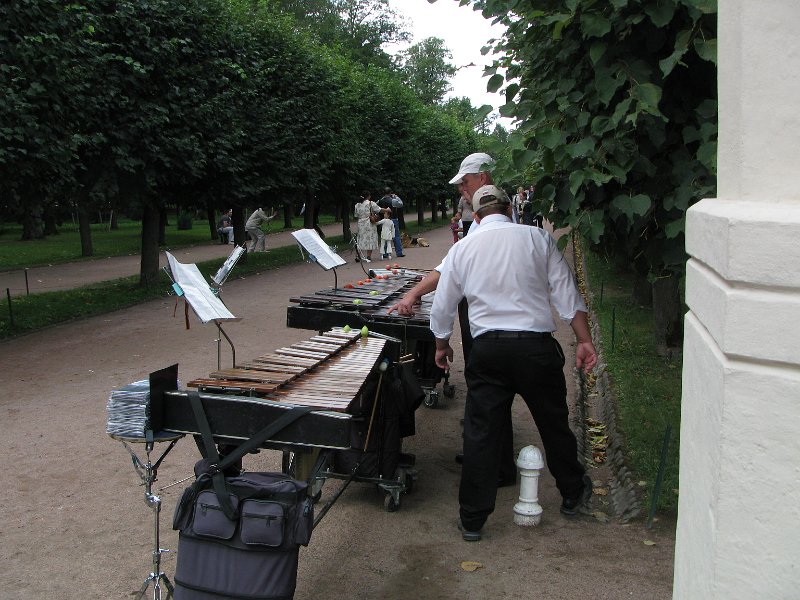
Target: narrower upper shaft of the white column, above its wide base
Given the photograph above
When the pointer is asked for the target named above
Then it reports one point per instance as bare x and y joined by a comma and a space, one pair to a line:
758, 93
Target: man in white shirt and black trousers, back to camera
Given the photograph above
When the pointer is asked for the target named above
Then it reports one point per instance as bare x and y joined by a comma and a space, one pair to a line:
513, 350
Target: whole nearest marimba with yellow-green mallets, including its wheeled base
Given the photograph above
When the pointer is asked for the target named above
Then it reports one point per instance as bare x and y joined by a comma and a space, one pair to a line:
335, 373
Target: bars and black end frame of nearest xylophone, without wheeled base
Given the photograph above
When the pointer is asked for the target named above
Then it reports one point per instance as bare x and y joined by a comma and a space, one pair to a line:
327, 372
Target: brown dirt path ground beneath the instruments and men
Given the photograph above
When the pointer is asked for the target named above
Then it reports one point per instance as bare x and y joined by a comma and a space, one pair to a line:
75, 524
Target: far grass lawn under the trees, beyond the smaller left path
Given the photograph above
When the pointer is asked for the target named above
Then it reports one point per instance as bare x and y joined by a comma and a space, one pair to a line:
66, 246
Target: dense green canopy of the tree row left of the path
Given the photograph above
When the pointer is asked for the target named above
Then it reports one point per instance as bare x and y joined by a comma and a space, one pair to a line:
211, 104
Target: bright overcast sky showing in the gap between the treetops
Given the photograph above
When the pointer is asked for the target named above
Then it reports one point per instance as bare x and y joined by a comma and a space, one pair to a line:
464, 32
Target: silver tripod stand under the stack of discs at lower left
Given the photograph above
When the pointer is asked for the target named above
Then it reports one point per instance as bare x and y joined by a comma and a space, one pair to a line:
148, 472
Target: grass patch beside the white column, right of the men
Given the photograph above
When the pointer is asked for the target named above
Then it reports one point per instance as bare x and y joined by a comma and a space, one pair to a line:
647, 386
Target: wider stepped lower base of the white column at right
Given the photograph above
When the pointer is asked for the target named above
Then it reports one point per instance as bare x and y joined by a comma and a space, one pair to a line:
739, 523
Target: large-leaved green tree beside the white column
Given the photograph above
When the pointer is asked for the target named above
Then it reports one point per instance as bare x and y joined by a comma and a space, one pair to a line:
618, 101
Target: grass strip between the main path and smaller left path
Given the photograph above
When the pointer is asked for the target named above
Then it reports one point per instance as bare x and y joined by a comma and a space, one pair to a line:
37, 311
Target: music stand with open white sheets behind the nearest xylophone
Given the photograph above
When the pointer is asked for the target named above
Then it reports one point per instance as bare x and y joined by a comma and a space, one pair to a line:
202, 298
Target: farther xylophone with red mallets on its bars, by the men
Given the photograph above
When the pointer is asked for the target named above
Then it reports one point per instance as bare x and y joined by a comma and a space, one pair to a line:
366, 302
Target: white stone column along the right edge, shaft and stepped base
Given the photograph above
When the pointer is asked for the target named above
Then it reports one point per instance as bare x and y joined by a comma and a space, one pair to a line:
738, 531
